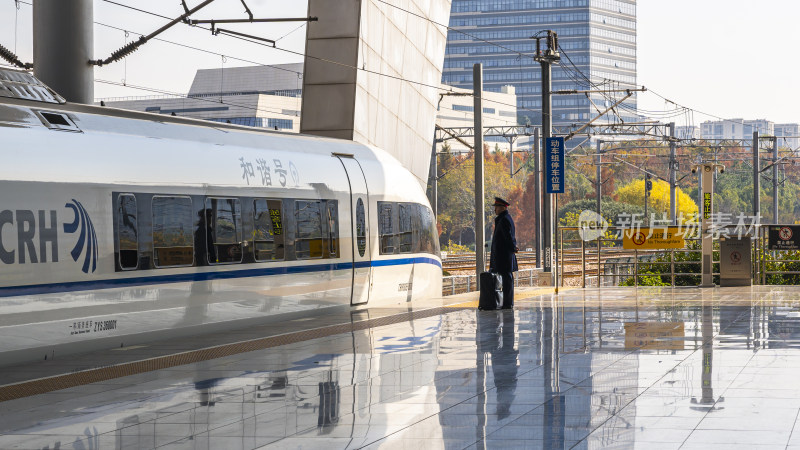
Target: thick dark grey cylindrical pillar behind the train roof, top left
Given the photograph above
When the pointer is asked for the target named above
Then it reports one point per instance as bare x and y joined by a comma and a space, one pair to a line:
63, 44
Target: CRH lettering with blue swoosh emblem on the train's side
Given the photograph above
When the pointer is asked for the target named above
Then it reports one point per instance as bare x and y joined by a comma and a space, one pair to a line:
44, 223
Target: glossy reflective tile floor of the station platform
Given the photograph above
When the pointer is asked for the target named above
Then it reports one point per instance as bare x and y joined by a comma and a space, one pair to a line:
611, 368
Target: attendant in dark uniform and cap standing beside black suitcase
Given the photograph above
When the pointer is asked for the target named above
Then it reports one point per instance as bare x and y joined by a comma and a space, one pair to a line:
503, 259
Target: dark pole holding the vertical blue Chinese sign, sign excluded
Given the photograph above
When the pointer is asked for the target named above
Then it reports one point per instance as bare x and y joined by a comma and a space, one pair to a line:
546, 61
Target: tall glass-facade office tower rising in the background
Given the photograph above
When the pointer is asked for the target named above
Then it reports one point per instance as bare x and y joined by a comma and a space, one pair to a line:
597, 39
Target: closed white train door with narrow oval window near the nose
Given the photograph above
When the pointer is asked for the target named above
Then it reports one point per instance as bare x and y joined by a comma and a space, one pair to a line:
359, 210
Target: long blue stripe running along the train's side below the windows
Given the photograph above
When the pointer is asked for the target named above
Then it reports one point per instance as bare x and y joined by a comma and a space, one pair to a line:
72, 286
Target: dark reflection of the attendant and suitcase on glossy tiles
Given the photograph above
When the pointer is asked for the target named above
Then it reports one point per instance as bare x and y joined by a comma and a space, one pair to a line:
496, 336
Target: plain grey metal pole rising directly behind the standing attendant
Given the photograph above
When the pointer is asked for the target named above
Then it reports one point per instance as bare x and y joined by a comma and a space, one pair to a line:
480, 232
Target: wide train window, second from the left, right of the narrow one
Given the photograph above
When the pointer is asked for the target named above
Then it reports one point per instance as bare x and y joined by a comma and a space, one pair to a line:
172, 231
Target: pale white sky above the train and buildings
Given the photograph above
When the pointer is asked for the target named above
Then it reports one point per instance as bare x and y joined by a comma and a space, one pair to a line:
723, 58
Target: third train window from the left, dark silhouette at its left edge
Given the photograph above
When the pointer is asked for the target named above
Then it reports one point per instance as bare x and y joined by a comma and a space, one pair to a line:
223, 230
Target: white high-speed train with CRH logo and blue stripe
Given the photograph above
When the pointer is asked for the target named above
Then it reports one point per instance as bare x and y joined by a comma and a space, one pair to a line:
118, 227
